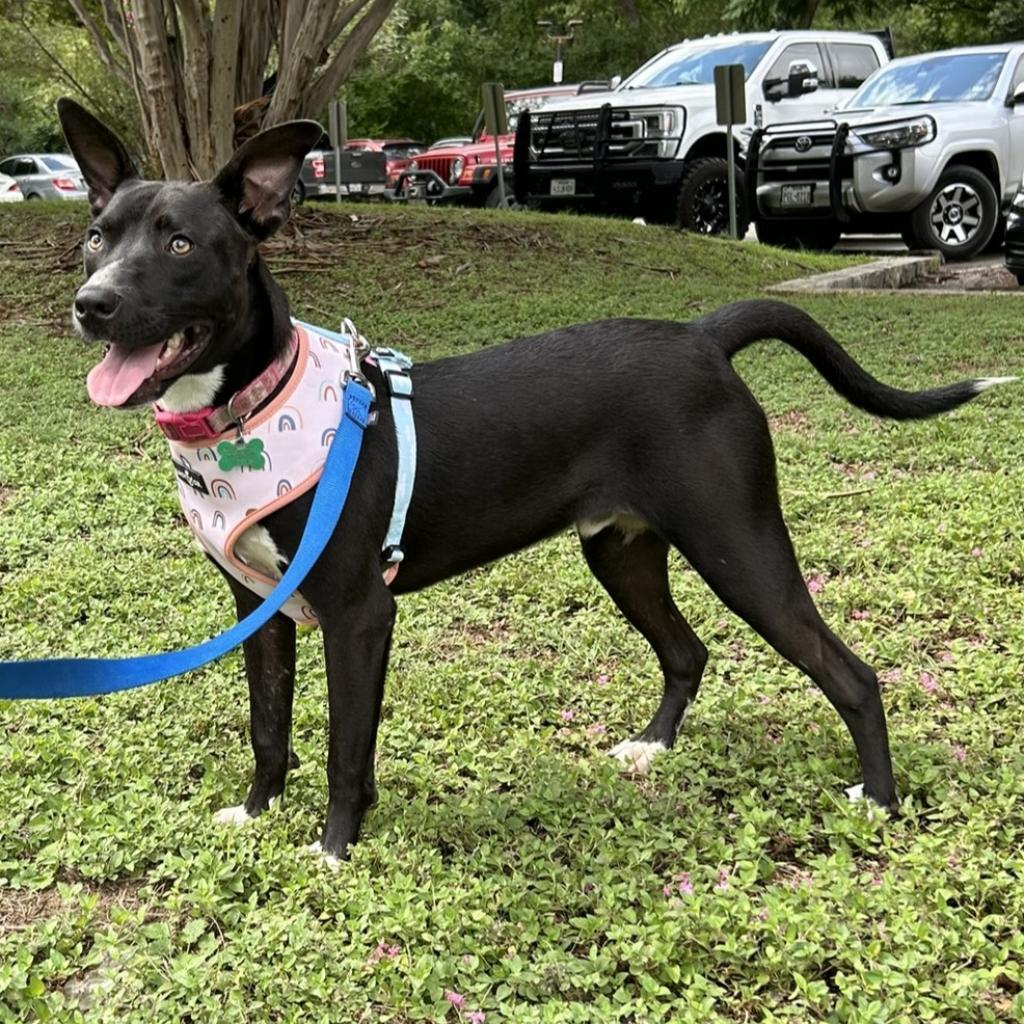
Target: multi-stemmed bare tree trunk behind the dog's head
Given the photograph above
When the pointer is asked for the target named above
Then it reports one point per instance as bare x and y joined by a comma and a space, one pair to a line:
195, 64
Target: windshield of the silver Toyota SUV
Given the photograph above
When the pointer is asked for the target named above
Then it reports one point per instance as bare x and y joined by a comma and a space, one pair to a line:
933, 80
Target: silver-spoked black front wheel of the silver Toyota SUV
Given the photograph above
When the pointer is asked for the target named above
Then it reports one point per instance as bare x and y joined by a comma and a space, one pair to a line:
960, 217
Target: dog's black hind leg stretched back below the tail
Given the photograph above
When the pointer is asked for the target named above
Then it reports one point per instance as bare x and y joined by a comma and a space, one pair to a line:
730, 526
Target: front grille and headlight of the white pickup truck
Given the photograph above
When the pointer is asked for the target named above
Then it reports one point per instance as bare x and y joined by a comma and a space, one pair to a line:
572, 136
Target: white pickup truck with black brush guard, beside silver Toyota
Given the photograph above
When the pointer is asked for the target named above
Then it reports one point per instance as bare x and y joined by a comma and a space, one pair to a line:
654, 146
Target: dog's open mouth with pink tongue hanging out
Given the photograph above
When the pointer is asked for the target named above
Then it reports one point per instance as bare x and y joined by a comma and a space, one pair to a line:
132, 376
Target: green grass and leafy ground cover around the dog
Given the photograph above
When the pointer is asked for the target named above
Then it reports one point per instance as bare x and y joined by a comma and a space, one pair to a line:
508, 861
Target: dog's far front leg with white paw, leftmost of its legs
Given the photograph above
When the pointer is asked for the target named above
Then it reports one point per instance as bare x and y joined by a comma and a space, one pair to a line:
270, 656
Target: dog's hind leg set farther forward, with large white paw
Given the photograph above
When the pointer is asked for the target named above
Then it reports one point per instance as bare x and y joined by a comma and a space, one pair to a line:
633, 569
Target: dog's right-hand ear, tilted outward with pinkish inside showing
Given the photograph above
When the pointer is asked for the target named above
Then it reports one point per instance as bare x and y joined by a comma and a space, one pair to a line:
258, 182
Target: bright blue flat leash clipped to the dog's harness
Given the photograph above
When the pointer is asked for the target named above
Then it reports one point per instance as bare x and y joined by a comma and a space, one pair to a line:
73, 677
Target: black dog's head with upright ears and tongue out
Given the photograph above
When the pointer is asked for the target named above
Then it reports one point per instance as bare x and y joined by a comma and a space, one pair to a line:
168, 265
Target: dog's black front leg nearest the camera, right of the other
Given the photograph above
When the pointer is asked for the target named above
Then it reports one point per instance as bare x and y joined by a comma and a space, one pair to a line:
357, 645
